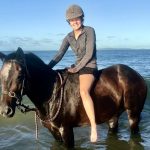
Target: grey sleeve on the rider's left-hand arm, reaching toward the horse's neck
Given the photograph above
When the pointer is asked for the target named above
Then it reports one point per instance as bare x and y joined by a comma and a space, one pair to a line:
63, 48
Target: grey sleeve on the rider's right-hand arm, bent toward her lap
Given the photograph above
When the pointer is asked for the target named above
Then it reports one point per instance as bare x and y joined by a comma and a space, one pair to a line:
90, 48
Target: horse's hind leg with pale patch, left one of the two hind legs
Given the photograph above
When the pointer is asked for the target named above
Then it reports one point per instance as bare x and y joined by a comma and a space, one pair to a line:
113, 124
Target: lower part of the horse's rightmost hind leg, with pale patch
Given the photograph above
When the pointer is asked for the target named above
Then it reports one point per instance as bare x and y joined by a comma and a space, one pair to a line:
134, 118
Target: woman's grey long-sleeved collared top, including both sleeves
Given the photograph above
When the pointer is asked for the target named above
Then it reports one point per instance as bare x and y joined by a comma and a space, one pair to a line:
84, 48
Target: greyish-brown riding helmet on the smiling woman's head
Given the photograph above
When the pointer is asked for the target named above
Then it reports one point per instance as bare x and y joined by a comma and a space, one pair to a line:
74, 11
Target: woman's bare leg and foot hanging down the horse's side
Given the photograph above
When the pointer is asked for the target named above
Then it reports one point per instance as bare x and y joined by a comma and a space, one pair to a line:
86, 81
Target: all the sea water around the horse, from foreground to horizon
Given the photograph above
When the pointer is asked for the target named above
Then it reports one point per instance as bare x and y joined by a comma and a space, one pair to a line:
19, 132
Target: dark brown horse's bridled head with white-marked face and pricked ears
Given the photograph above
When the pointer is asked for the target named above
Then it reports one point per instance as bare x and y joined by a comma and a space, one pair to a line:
12, 81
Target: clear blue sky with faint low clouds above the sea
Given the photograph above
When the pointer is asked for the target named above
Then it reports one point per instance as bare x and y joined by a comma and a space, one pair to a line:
41, 24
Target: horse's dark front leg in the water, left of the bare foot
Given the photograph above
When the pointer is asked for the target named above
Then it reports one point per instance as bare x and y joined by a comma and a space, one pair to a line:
68, 136
